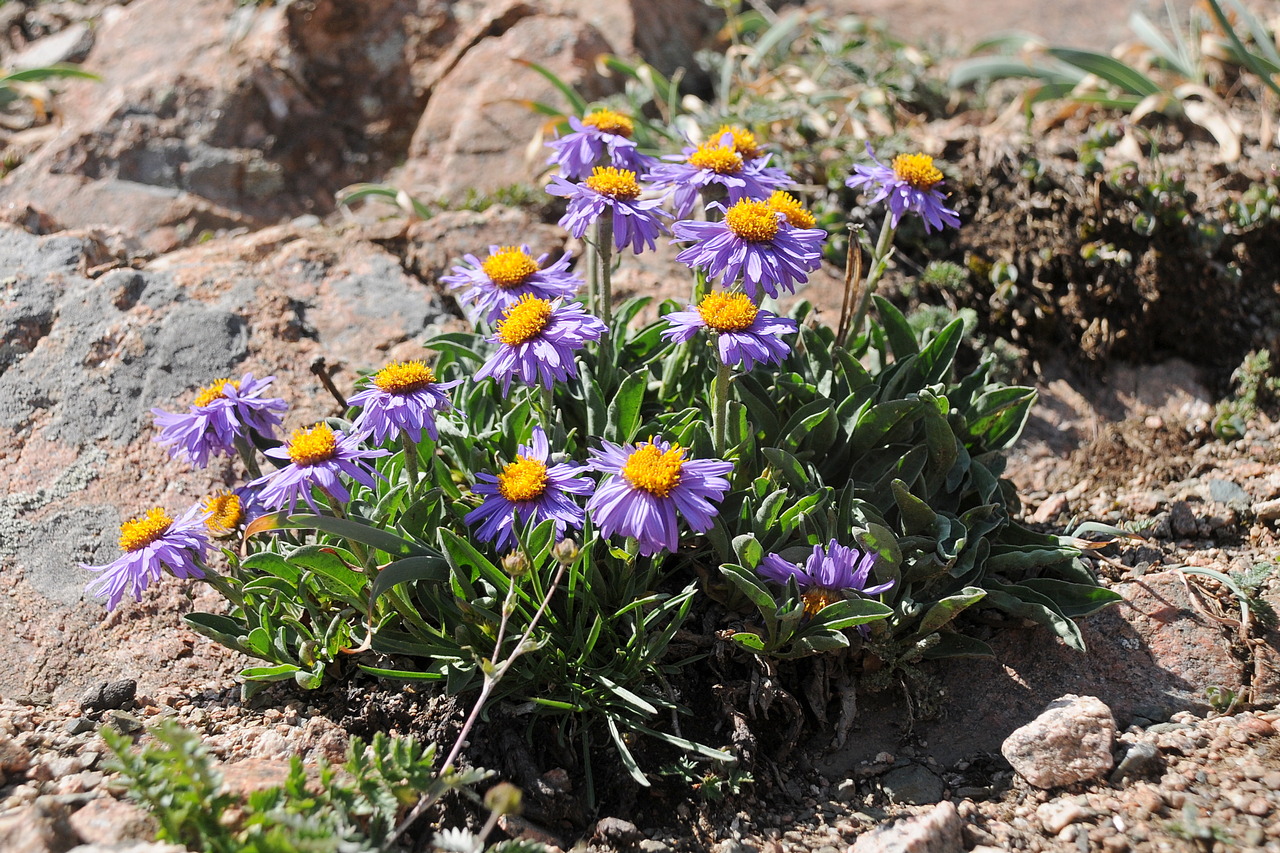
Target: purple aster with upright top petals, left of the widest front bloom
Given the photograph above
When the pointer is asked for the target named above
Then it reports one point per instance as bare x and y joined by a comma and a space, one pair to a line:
532, 490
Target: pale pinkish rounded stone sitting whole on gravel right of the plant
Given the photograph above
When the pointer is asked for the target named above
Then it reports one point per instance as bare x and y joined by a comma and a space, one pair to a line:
1069, 742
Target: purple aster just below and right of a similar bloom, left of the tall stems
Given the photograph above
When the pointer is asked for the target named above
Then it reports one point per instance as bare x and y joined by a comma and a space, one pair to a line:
537, 341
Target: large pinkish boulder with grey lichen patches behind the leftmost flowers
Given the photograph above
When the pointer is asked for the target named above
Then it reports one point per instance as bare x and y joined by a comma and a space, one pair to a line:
77, 443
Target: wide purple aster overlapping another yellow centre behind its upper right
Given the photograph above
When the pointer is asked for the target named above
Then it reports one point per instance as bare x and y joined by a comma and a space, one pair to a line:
757, 243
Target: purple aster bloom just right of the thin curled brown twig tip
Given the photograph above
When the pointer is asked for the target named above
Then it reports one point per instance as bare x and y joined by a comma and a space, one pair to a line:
403, 398
